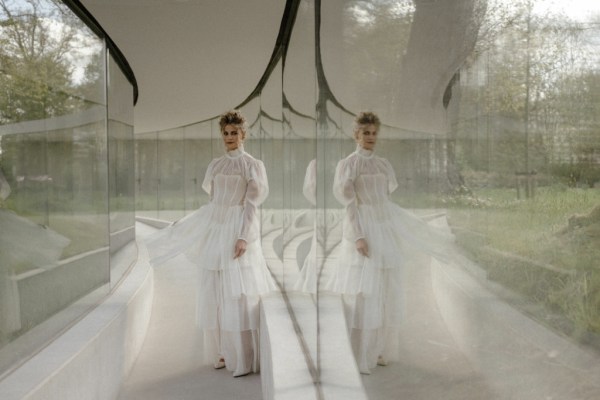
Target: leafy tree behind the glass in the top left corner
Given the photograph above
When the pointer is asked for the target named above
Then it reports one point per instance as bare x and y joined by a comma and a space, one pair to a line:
37, 42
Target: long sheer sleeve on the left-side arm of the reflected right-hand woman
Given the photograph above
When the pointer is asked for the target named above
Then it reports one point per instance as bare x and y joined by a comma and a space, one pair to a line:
344, 192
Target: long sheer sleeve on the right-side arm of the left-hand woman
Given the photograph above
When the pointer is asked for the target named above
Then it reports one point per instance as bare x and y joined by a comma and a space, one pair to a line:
256, 193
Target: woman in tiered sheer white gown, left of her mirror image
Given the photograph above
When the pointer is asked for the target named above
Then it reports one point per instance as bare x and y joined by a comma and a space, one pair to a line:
223, 239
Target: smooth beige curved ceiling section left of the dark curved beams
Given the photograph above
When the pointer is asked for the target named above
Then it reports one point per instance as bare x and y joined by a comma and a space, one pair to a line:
192, 59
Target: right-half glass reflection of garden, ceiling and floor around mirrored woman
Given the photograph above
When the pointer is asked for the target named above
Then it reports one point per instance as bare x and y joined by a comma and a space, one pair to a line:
489, 120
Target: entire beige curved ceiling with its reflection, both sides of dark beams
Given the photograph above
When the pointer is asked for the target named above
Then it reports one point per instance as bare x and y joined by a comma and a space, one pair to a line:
193, 59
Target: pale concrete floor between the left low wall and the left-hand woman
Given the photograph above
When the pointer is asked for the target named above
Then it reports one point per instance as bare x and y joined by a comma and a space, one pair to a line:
169, 366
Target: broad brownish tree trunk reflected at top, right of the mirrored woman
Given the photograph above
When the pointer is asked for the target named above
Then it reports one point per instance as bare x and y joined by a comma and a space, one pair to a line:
447, 32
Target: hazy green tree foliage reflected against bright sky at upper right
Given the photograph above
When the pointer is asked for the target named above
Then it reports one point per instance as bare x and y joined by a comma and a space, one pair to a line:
530, 95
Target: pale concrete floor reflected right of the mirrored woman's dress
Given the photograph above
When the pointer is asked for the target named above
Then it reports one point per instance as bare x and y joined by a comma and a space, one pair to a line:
461, 341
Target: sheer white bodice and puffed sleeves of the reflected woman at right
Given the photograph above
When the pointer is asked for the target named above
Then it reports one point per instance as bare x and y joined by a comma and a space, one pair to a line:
362, 179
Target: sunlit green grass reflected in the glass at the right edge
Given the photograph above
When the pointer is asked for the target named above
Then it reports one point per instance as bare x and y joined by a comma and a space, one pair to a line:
530, 228
